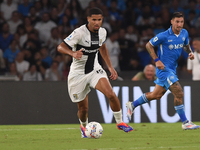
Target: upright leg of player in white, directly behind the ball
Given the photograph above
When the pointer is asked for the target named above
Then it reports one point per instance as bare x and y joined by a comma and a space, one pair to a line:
83, 115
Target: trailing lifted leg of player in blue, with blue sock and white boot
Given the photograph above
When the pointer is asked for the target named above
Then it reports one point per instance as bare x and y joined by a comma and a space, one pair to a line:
157, 93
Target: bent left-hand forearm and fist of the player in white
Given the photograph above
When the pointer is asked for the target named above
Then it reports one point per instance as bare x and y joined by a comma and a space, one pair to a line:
64, 49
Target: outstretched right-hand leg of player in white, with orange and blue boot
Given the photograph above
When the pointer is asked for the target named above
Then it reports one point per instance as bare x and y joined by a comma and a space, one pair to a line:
104, 86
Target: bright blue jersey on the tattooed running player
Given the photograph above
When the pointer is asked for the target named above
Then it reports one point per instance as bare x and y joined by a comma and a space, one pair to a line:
170, 48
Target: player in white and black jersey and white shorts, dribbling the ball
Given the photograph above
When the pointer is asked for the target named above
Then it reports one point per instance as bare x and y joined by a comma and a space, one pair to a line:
84, 44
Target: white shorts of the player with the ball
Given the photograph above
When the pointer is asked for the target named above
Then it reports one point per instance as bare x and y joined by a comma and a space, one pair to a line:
79, 84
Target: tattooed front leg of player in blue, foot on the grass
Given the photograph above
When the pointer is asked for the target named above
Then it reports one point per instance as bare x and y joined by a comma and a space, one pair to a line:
177, 91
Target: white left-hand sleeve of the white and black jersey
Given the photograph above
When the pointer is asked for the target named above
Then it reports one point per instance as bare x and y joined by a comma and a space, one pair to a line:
72, 39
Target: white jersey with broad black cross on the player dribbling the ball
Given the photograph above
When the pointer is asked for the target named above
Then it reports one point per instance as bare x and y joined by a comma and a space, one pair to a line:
82, 37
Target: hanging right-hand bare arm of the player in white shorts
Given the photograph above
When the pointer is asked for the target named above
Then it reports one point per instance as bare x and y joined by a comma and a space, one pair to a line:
105, 55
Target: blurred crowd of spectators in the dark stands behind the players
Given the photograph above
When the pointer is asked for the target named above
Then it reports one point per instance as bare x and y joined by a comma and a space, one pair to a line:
31, 30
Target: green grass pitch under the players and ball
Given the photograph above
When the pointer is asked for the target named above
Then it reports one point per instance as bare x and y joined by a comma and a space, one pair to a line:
150, 136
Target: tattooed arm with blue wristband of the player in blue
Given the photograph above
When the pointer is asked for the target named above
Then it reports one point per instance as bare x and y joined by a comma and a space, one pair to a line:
152, 53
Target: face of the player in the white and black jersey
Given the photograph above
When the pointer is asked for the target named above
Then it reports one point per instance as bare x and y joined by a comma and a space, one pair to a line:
95, 22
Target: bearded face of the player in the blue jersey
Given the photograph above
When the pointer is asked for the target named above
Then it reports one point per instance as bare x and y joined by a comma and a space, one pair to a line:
177, 24
